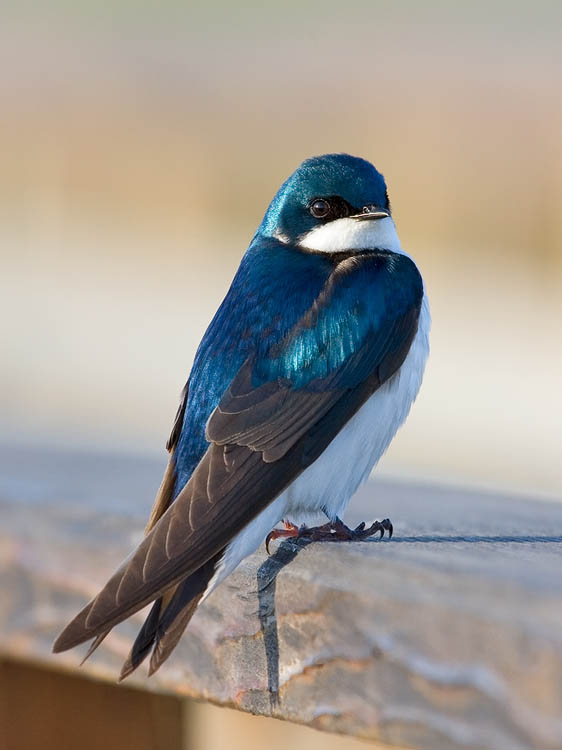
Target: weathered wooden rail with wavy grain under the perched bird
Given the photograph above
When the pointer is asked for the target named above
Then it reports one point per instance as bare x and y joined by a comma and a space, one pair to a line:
449, 636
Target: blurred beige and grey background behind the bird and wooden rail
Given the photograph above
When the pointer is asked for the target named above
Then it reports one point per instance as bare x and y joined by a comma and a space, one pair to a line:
140, 145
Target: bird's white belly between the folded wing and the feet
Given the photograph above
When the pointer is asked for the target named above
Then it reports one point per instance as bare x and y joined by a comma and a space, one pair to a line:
329, 483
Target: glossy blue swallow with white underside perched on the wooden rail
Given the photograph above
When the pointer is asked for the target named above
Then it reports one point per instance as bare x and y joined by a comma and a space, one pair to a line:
305, 373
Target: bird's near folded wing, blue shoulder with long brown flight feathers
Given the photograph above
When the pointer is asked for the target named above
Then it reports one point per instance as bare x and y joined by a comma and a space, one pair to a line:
277, 416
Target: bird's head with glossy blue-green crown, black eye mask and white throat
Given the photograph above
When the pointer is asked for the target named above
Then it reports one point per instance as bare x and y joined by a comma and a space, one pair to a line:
332, 203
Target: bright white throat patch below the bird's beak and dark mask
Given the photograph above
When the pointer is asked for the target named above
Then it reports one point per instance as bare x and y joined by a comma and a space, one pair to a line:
349, 234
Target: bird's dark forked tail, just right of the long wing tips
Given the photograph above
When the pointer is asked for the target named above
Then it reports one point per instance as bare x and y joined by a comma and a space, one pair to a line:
165, 624
